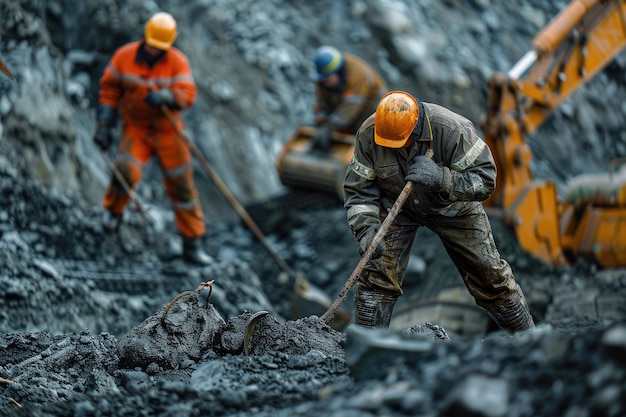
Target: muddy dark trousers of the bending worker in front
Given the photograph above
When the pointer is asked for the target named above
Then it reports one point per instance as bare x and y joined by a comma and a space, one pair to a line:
469, 242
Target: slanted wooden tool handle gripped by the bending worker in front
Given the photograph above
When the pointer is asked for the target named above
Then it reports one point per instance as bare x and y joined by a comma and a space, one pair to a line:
329, 315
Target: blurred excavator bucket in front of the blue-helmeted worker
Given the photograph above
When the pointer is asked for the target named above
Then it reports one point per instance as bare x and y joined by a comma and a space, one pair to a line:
300, 165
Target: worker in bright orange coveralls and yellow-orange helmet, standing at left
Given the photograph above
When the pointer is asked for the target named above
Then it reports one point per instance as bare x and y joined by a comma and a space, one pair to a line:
140, 77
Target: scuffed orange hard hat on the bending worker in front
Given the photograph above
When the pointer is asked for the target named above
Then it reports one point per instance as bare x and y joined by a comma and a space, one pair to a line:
396, 116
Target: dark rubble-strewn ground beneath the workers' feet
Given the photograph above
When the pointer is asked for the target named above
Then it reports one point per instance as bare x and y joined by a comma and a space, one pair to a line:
95, 324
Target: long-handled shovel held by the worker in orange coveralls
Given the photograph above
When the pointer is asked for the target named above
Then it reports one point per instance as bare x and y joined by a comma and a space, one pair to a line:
300, 281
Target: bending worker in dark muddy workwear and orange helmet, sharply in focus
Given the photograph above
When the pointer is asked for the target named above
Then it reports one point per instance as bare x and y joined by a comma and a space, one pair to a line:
390, 150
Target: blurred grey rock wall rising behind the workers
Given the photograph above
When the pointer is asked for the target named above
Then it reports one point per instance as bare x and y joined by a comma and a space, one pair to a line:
251, 61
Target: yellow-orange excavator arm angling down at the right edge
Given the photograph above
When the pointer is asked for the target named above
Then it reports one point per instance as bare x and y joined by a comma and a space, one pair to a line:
567, 53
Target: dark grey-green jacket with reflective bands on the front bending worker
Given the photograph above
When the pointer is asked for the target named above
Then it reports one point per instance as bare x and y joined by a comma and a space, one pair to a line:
375, 175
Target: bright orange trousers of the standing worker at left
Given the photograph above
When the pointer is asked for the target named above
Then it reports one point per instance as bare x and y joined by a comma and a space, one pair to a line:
135, 149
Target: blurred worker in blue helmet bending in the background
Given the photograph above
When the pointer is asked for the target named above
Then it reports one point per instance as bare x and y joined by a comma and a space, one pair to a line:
347, 90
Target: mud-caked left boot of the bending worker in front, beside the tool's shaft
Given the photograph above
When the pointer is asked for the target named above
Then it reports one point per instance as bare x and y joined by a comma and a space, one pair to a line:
372, 308
